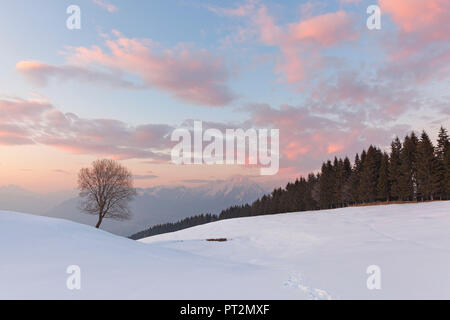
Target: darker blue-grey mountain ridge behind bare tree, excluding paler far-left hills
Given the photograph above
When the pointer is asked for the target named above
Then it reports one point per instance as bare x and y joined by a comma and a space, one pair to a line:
165, 204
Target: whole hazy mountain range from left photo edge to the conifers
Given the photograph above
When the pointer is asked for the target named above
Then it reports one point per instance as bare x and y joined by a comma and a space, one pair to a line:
152, 206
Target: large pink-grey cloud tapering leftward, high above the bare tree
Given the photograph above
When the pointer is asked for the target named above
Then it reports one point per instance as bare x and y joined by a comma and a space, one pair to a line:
194, 76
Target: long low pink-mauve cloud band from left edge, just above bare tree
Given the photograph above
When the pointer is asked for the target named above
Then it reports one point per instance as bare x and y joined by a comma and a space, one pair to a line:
31, 122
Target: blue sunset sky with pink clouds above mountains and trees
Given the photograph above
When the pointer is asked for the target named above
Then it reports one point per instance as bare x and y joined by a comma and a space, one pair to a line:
137, 70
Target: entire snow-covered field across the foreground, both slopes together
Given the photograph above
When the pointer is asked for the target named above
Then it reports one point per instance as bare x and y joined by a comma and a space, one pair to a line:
312, 255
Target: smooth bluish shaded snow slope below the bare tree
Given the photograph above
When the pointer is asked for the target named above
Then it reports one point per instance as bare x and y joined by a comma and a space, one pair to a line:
36, 251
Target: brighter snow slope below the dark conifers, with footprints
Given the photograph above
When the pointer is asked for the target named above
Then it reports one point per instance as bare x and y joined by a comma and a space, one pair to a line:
326, 254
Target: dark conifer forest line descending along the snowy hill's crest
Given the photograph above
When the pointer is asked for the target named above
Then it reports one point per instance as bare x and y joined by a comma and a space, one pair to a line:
414, 170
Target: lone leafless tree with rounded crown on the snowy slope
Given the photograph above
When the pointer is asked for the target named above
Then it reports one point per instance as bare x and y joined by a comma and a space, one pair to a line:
106, 189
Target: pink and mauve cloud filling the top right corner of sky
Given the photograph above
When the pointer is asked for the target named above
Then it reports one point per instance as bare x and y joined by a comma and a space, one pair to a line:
419, 50
